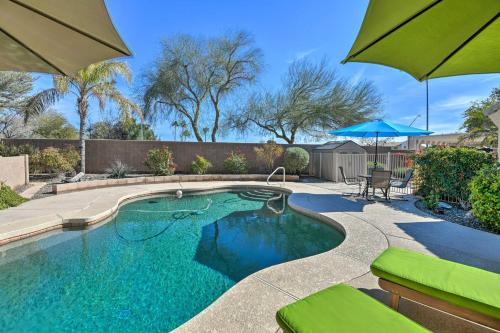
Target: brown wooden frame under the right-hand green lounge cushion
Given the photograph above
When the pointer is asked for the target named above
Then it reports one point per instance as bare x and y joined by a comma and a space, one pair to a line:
397, 291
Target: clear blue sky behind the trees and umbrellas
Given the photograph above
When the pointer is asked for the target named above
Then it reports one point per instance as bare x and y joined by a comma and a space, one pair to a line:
285, 31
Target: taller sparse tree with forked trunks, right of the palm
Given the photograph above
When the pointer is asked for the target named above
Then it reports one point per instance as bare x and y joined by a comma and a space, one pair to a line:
193, 75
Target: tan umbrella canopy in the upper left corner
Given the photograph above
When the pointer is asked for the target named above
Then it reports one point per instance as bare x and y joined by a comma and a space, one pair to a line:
56, 36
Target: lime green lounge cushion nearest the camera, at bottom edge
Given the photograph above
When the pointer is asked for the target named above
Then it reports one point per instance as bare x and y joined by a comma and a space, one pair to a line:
341, 309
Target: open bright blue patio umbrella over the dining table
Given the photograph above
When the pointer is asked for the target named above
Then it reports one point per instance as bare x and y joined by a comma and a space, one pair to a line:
378, 128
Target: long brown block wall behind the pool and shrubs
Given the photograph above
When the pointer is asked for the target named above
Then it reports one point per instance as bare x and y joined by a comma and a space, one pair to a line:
101, 153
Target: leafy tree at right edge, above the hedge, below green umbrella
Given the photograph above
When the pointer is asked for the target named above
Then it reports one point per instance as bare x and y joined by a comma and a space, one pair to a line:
477, 124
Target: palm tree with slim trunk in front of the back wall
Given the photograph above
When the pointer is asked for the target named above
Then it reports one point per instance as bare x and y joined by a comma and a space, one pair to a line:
96, 82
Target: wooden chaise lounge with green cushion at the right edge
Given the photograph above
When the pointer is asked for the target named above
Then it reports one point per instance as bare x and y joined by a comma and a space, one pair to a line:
464, 291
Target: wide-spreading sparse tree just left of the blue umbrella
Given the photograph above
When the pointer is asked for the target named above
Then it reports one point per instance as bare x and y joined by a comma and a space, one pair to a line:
312, 100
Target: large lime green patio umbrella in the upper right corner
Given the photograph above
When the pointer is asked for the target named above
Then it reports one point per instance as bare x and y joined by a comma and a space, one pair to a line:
430, 38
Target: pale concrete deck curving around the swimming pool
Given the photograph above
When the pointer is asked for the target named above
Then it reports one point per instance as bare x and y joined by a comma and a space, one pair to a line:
251, 304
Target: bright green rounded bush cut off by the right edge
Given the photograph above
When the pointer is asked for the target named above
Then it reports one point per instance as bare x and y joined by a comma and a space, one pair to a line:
485, 196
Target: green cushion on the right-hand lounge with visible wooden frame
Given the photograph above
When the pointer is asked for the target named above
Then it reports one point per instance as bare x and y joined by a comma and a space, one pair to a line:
462, 285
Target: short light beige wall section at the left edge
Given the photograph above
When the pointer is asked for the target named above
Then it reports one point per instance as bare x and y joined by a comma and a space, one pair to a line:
14, 171
